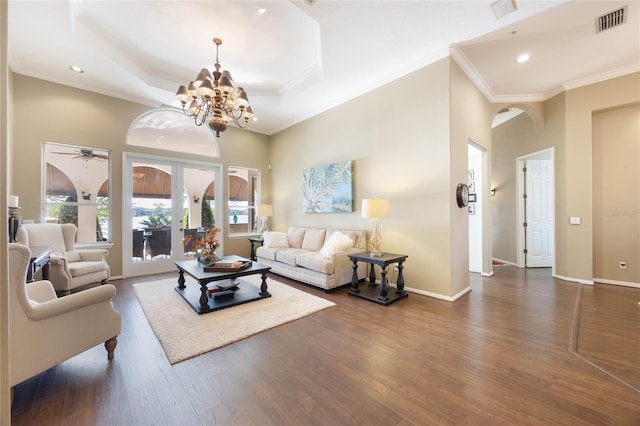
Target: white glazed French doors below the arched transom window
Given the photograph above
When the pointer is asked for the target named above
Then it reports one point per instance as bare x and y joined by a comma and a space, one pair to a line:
164, 200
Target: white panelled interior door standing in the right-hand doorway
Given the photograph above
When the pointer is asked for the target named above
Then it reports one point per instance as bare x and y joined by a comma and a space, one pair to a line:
539, 210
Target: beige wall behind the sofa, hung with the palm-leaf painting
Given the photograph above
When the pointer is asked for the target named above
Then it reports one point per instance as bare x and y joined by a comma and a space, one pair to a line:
398, 137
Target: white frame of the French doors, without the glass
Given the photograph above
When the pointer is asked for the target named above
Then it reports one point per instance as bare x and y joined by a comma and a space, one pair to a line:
130, 268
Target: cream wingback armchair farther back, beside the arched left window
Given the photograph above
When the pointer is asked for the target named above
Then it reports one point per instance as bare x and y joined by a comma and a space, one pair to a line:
69, 268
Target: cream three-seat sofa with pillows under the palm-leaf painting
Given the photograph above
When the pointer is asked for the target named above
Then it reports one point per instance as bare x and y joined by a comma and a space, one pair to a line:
316, 256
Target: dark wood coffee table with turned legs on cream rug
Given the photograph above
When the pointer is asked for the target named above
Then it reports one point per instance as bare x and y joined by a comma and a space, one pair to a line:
203, 302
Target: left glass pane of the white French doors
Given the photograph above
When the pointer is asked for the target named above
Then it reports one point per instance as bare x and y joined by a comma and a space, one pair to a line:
151, 212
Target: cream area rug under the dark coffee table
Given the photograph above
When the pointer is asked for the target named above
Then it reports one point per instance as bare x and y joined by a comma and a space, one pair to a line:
184, 334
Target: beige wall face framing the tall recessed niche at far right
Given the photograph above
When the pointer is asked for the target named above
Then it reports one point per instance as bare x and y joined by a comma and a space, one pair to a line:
577, 242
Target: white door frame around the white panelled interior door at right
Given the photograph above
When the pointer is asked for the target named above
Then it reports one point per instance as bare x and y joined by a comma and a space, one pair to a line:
548, 153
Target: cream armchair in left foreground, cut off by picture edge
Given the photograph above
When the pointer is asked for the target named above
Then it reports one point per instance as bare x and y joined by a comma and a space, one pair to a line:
46, 330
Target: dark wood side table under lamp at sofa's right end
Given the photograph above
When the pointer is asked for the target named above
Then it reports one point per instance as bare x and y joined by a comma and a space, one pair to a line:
370, 292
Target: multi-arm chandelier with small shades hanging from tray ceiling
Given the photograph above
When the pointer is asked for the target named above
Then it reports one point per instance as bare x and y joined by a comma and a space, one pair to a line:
215, 98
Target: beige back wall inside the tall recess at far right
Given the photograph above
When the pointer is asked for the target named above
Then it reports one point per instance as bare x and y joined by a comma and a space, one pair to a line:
616, 194
